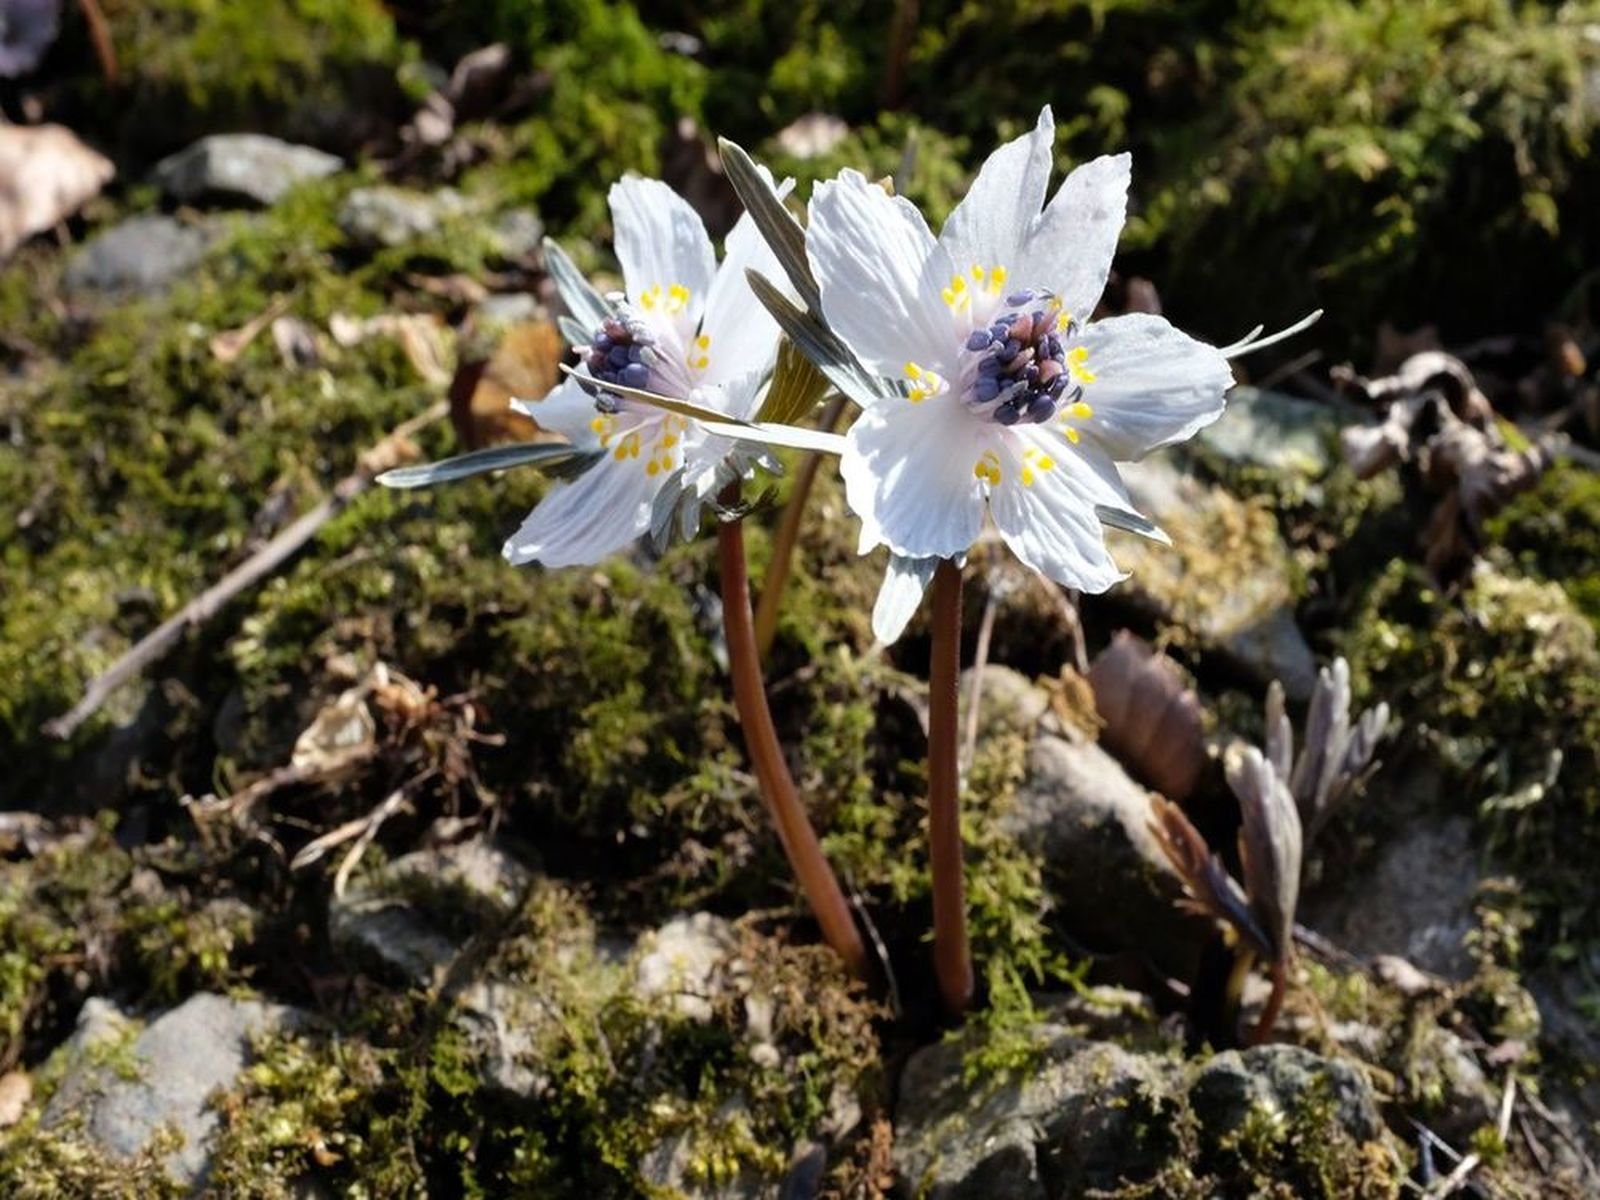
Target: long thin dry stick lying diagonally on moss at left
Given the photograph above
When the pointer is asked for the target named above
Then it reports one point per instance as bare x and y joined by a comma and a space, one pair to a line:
262, 564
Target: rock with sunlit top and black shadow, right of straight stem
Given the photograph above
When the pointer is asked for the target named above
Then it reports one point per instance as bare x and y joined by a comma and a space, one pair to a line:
1089, 822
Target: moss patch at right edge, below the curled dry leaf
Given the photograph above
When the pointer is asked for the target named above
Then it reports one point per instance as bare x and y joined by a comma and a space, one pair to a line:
1503, 686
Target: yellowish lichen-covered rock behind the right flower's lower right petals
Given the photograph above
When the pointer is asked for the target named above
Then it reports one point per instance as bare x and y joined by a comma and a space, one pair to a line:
1228, 575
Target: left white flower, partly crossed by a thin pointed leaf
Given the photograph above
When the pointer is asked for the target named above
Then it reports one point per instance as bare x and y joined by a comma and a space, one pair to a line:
684, 329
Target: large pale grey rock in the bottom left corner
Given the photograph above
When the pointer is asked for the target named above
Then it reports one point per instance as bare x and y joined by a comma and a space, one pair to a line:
164, 1078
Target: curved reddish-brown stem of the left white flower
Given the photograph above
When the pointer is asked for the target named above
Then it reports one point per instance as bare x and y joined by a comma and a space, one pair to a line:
761, 738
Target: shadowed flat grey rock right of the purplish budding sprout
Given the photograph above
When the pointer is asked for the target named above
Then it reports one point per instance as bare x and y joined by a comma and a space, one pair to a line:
1415, 903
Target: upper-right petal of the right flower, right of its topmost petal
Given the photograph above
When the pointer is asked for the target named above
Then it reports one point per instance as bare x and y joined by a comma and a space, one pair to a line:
1073, 244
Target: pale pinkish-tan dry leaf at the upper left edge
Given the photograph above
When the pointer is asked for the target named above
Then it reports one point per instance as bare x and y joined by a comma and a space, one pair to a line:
46, 177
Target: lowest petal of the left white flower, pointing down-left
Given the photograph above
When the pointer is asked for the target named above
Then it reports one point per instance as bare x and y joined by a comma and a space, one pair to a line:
590, 519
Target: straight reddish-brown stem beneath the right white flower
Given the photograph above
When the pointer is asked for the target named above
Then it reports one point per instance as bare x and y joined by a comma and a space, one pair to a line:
953, 961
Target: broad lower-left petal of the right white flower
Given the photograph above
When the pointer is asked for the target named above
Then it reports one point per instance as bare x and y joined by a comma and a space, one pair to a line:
910, 478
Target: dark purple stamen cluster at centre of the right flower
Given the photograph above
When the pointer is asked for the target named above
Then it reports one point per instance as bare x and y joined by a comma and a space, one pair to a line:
1023, 375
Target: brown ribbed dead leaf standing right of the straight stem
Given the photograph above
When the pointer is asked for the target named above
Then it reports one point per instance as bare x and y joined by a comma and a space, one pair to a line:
1151, 716
